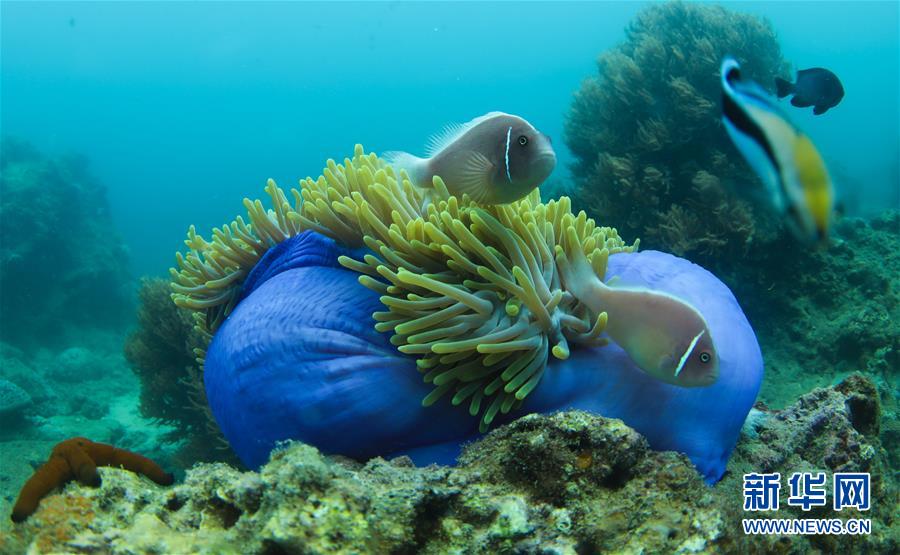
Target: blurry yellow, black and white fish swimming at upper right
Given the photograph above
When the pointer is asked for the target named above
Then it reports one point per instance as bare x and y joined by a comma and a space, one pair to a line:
784, 158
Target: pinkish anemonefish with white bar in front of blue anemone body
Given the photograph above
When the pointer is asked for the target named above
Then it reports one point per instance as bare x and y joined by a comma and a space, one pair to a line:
665, 337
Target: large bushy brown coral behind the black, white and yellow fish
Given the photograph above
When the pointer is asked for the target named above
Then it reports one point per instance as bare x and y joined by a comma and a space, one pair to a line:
652, 158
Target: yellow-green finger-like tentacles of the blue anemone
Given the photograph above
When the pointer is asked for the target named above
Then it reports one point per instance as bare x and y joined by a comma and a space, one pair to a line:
472, 291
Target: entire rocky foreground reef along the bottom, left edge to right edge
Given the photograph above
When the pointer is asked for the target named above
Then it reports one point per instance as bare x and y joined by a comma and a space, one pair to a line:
567, 483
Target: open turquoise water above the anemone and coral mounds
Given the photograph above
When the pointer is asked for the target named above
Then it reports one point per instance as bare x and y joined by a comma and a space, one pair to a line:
185, 108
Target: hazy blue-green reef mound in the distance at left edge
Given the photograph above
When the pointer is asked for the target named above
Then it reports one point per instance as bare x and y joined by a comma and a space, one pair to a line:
63, 268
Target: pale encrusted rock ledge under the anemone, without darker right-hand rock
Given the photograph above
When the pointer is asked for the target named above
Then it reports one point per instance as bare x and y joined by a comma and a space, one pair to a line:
575, 483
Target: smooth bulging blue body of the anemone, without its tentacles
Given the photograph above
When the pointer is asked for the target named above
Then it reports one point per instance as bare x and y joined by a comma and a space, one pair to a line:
299, 358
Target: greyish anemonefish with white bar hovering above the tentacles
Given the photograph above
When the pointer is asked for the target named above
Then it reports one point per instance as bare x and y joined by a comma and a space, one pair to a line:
495, 159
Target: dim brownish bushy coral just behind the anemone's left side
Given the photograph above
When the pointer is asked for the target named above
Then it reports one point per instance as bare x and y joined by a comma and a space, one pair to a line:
160, 351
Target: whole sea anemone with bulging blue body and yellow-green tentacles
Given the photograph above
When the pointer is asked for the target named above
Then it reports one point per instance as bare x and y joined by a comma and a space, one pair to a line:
289, 298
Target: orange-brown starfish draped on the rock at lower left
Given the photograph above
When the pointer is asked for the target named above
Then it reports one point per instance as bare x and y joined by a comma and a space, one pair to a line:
78, 458
